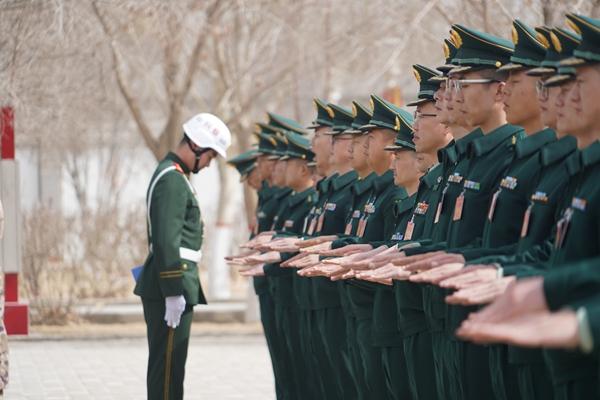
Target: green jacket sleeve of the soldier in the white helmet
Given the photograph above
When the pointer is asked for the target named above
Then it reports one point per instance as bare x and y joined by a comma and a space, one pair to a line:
167, 215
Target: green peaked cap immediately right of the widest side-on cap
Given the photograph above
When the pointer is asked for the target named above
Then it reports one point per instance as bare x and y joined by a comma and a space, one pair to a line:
529, 50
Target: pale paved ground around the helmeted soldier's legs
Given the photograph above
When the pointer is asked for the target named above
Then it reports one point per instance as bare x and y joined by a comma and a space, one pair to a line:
219, 368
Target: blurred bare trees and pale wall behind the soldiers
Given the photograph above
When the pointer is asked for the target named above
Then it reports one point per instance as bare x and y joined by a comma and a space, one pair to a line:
99, 90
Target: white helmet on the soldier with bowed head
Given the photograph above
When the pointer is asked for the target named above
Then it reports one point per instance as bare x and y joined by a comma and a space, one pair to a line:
208, 131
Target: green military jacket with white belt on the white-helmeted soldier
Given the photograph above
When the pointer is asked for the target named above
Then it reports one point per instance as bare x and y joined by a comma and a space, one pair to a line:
174, 236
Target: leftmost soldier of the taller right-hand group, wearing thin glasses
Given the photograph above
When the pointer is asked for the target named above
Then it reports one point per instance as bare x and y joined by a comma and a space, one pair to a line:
430, 135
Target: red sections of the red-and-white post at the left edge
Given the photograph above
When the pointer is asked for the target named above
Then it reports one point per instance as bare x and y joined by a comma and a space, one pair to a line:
16, 315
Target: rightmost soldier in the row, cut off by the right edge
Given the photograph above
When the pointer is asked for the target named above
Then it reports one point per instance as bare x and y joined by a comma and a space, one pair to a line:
573, 375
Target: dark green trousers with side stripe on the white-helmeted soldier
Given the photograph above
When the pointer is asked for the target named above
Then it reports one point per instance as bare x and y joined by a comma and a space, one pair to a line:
167, 349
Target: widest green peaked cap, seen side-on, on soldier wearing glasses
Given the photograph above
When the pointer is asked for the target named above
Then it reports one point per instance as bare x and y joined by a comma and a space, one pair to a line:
477, 50
